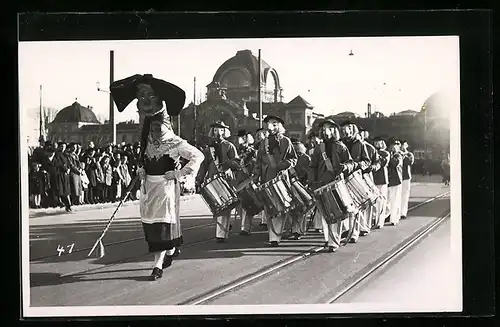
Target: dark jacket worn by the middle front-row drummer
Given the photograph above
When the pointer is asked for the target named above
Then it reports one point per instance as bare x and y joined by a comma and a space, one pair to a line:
281, 149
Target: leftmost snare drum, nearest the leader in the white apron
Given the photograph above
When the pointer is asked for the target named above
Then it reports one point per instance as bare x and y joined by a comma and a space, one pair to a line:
218, 194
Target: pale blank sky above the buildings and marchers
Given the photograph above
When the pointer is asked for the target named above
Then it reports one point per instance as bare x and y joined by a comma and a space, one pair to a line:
318, 69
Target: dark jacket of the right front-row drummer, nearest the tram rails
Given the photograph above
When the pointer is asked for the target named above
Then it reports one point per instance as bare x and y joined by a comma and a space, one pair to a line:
339, 156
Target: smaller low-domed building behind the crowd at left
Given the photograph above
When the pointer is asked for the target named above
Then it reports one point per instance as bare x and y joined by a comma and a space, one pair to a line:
77, 123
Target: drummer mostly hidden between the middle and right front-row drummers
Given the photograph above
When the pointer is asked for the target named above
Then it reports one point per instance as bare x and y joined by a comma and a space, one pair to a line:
301, 170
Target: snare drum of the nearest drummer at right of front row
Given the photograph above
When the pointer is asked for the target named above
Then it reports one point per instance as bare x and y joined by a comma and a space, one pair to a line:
334, 201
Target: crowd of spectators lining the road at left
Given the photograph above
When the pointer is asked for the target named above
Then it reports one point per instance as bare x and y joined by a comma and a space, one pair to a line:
62, 175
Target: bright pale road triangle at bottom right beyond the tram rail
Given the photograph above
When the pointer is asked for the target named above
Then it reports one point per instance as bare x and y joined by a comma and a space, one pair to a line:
420, 280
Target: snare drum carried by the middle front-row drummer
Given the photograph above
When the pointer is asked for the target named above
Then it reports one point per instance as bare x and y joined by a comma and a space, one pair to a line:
277, 197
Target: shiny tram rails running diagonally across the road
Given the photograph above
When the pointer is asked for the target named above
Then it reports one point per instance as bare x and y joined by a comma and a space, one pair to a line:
247, 280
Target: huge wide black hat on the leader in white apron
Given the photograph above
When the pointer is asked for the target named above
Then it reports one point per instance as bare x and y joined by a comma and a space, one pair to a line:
124, 92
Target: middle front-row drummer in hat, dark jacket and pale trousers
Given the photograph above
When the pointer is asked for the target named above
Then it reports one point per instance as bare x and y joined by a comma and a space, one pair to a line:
275, 155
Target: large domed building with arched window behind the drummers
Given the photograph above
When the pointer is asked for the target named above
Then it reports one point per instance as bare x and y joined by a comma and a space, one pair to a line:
232, 97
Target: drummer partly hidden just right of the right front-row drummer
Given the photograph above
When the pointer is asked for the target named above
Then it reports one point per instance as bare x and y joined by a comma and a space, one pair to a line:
357, 149
